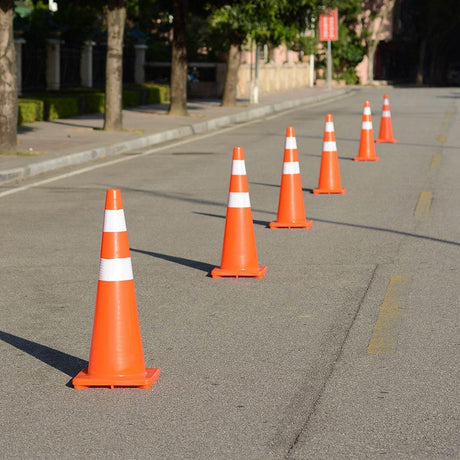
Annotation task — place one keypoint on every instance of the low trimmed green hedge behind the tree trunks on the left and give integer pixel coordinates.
(81, 101)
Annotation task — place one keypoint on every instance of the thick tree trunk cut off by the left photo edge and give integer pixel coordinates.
(8, 86)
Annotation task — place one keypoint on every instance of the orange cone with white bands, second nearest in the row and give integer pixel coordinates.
(239, 253)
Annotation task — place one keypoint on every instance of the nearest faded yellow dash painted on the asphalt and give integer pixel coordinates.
(385, 334)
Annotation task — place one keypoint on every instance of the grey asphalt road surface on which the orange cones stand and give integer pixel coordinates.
(348, 348)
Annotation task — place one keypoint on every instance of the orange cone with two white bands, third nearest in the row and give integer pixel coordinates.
(291, 212)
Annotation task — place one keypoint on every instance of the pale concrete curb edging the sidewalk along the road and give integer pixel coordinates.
(158, 138)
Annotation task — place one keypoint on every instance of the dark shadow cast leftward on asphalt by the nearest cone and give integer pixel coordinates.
(63, 362)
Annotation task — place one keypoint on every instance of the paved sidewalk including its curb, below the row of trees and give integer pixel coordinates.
(46, 146)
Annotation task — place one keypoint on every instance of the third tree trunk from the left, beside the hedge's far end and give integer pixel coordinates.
(178, 105)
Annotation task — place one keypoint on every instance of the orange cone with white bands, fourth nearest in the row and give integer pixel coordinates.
(329, 175)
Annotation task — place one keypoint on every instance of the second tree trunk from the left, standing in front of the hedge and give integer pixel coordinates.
(116, 17)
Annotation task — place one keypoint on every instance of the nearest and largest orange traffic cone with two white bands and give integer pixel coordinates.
(116, 357)
